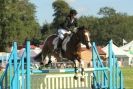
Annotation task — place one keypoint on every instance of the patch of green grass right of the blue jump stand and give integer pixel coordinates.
(128, 77)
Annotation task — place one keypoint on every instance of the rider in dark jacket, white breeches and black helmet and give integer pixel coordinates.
(69, 24)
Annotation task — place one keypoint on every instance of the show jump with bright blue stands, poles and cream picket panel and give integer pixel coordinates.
(17, 76)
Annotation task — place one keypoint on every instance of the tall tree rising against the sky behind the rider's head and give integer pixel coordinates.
(61, 9)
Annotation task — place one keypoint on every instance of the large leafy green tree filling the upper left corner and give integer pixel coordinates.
(17, 22)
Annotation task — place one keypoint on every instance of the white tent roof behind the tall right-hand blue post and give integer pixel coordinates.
(117, 51)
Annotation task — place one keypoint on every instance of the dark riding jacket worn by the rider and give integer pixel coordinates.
(70, 23)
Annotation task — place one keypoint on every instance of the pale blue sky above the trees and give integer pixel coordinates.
(44, 10)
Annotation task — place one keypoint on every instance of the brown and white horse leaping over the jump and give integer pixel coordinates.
(70, 48)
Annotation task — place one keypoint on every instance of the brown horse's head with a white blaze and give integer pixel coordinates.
(83, 36)
